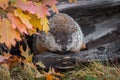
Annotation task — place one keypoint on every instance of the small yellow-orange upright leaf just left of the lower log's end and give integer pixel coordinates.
(26, 54)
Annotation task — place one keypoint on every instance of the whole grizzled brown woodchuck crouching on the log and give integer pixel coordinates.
(65, 35)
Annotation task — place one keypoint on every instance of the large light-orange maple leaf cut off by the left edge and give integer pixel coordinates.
(7, 34)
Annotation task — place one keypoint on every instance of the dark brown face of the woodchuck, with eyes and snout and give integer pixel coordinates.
(63, 40)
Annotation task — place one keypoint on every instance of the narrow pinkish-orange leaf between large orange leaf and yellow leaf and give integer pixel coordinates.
(16, 23)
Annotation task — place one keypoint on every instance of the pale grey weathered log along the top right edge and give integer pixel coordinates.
(86, 4)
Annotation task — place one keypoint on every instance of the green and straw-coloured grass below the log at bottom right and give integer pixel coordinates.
(95, 71)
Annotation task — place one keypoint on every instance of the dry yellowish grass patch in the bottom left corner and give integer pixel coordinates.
(26, 72)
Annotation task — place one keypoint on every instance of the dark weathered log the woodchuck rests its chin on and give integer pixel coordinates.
(106, 52)
